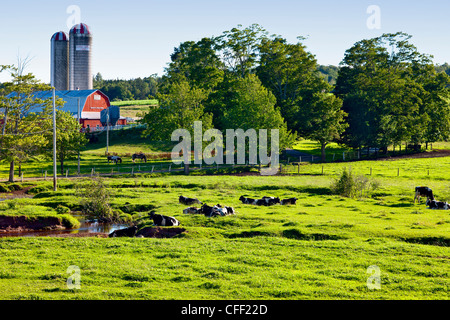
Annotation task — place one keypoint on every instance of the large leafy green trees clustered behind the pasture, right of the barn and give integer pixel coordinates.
(384, 92)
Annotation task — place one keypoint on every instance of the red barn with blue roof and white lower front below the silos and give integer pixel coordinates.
(93, 106)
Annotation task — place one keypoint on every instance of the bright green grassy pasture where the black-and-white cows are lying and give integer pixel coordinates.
(320, 248)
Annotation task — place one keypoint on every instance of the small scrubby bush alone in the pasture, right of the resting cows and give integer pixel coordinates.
(351, 187)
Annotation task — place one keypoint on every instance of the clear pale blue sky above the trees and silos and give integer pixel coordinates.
(135, 38)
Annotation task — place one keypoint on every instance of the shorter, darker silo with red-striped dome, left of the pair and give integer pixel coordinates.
(59, 61)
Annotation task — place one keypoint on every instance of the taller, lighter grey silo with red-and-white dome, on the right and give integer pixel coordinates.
(80, 53)
